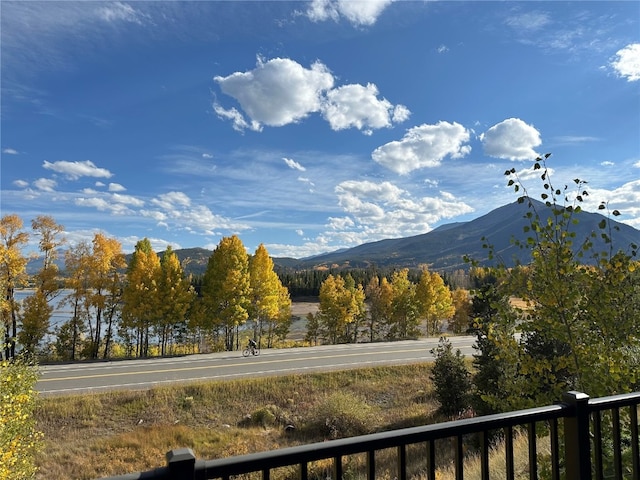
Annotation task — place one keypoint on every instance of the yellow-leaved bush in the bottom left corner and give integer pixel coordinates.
(19, 439)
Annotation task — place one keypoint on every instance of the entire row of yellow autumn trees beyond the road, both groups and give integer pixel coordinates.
(147, 305)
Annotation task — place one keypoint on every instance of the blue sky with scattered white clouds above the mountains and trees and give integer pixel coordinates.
(309, 126)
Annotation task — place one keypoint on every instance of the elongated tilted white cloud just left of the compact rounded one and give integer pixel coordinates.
(424, 146)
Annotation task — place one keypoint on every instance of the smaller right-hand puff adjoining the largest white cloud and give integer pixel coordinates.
(358, 106)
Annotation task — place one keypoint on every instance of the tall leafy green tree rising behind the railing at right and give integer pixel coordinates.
(579, 315)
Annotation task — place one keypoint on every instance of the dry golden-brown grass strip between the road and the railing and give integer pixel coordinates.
(92, 436)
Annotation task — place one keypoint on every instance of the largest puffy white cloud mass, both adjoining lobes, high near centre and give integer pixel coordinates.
(280, 91)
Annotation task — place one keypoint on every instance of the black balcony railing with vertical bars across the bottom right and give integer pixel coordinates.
(597, 439)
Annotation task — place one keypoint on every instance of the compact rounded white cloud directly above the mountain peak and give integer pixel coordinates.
(511, 139)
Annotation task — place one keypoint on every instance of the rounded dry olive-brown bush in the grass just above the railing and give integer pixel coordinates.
(342, 415)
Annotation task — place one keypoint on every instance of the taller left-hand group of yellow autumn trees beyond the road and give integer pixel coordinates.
(145, 306)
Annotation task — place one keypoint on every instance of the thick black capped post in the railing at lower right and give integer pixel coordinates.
(577, 449)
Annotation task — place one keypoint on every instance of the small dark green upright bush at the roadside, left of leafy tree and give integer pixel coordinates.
(451, 379)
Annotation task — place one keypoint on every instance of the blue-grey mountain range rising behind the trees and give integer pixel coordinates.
(444, 248)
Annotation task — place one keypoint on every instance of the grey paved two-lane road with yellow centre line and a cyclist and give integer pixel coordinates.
(141, 374)
